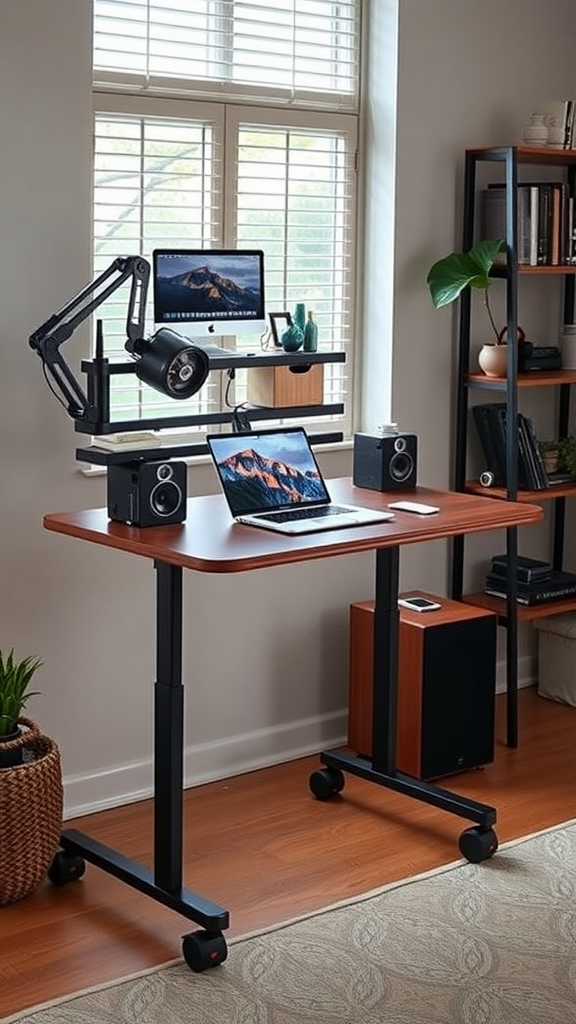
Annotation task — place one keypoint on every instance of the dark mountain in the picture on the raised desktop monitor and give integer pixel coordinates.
(204, 292)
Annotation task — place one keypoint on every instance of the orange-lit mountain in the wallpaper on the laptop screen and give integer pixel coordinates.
(254, 483)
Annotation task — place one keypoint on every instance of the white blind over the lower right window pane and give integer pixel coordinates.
(296, 200)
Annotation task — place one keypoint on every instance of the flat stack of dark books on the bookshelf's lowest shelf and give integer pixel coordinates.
(538, 582)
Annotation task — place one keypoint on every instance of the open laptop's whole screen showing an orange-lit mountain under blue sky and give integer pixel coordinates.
(268, 472)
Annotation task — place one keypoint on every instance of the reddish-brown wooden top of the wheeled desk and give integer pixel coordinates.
(211, 542)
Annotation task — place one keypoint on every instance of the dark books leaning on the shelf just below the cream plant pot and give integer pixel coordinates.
(490, 419)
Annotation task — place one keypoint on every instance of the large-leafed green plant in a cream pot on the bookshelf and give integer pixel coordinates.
(447, 280)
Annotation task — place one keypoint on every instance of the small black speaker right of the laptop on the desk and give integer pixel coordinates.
(385, 462)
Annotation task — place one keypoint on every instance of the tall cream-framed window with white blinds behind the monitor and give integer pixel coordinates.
(230, 124)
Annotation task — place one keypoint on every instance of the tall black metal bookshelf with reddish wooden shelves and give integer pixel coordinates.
(508, 392)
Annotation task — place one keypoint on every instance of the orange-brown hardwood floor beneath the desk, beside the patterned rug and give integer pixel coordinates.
(263, 847)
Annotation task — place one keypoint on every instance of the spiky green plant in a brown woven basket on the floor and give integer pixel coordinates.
(31, 787)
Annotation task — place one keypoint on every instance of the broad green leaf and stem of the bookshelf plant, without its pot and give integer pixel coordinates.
(449, 276)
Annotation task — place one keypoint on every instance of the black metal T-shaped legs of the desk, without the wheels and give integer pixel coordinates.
(164, 884)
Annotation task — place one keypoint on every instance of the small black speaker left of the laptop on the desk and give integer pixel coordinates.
(148, 494)
